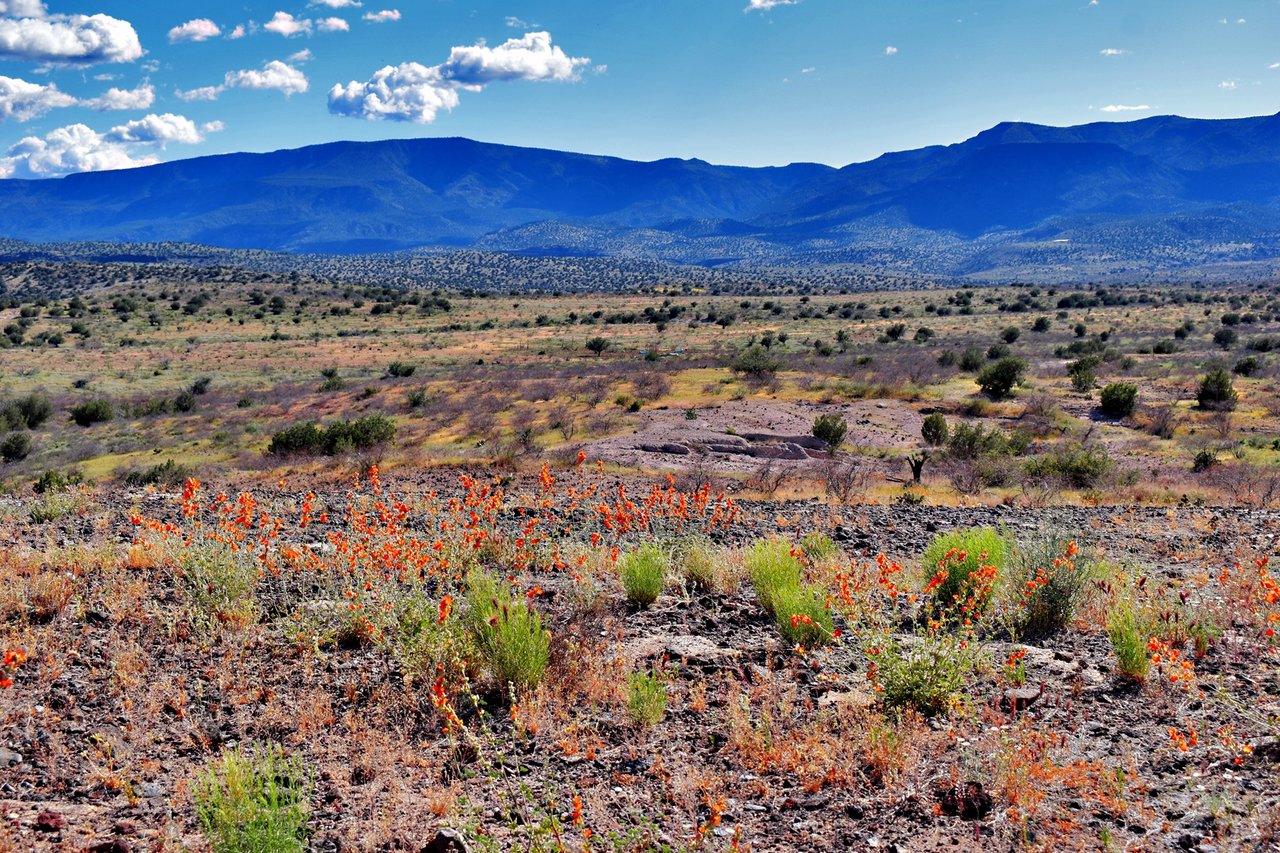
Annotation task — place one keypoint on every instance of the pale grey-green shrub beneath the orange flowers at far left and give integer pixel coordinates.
(220, 585)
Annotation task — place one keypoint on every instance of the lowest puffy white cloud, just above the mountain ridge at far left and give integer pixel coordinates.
(79, 148)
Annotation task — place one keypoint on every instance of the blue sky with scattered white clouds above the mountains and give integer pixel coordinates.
(92, 85)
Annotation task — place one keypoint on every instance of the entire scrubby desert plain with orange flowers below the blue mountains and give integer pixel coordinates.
(294, 564)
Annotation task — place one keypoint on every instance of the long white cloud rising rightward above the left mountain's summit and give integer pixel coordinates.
(415, 93)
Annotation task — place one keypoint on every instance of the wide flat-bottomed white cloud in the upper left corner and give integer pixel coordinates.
(70, 40)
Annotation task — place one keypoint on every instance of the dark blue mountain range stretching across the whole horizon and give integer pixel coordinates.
(1151, 195)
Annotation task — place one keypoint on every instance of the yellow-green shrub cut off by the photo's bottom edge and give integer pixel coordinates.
(254, 804)
